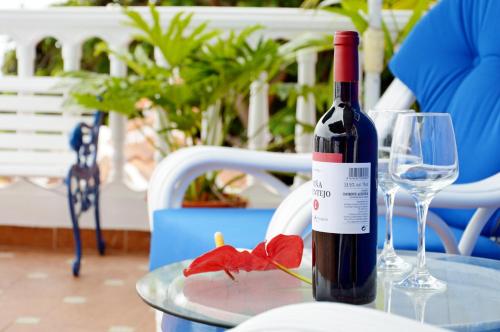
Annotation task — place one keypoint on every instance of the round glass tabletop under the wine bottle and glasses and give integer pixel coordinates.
(471, 301)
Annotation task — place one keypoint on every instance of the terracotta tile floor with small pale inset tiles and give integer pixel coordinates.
(38, 292)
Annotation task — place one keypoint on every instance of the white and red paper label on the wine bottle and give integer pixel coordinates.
(341, 195)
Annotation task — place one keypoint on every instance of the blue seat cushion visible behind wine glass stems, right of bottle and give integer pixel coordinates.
(405, 238)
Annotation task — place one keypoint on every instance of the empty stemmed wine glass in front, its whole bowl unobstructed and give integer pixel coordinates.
(423, 161)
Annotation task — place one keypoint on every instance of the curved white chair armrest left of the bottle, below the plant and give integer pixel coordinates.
(173, 175)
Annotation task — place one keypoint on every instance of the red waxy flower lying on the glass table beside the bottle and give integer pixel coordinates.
(284, 250)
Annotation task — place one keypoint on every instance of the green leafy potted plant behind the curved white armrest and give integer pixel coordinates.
(198, 97)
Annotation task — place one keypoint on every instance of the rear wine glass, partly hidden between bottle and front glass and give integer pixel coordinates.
(385, 120)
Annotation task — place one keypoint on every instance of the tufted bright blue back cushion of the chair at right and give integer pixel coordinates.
(451, 61)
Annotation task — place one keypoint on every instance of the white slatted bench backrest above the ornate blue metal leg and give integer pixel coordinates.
(35, 126)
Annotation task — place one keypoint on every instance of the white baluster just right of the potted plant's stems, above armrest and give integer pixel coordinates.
(258, 114)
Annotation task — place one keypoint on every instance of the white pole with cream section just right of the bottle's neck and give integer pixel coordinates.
(373, 48)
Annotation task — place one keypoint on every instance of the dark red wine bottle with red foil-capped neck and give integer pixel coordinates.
(344, 218)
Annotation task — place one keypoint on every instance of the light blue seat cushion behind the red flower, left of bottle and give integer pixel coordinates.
(187, 233)
